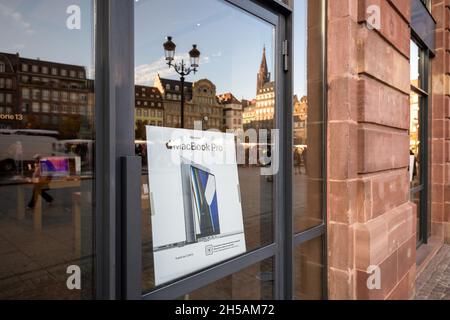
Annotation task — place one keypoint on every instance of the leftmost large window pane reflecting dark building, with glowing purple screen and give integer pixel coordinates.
(46, 150)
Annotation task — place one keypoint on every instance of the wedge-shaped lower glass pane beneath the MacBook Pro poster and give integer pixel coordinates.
(253, 283)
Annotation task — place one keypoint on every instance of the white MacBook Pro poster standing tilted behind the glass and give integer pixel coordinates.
(194, 199)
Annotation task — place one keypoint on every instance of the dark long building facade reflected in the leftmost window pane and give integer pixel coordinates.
(45, 95)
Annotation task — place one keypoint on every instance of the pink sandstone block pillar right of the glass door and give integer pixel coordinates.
(371, 219)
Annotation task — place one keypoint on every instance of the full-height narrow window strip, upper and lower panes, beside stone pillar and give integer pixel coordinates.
(308, 148)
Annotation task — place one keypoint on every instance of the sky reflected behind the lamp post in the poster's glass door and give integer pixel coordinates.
(230, 40)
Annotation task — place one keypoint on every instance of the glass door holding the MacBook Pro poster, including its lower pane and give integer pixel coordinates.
(208, 86)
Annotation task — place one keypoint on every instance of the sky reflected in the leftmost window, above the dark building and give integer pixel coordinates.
(37, 29)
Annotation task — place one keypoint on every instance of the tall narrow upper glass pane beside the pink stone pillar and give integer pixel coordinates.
(308, 184)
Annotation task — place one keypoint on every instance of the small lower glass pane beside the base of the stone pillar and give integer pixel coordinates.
(309, 270)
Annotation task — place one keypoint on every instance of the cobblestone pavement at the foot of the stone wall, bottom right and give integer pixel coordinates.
(434, 282)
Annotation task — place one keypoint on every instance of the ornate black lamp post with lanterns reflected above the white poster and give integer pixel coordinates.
(181, 68)
